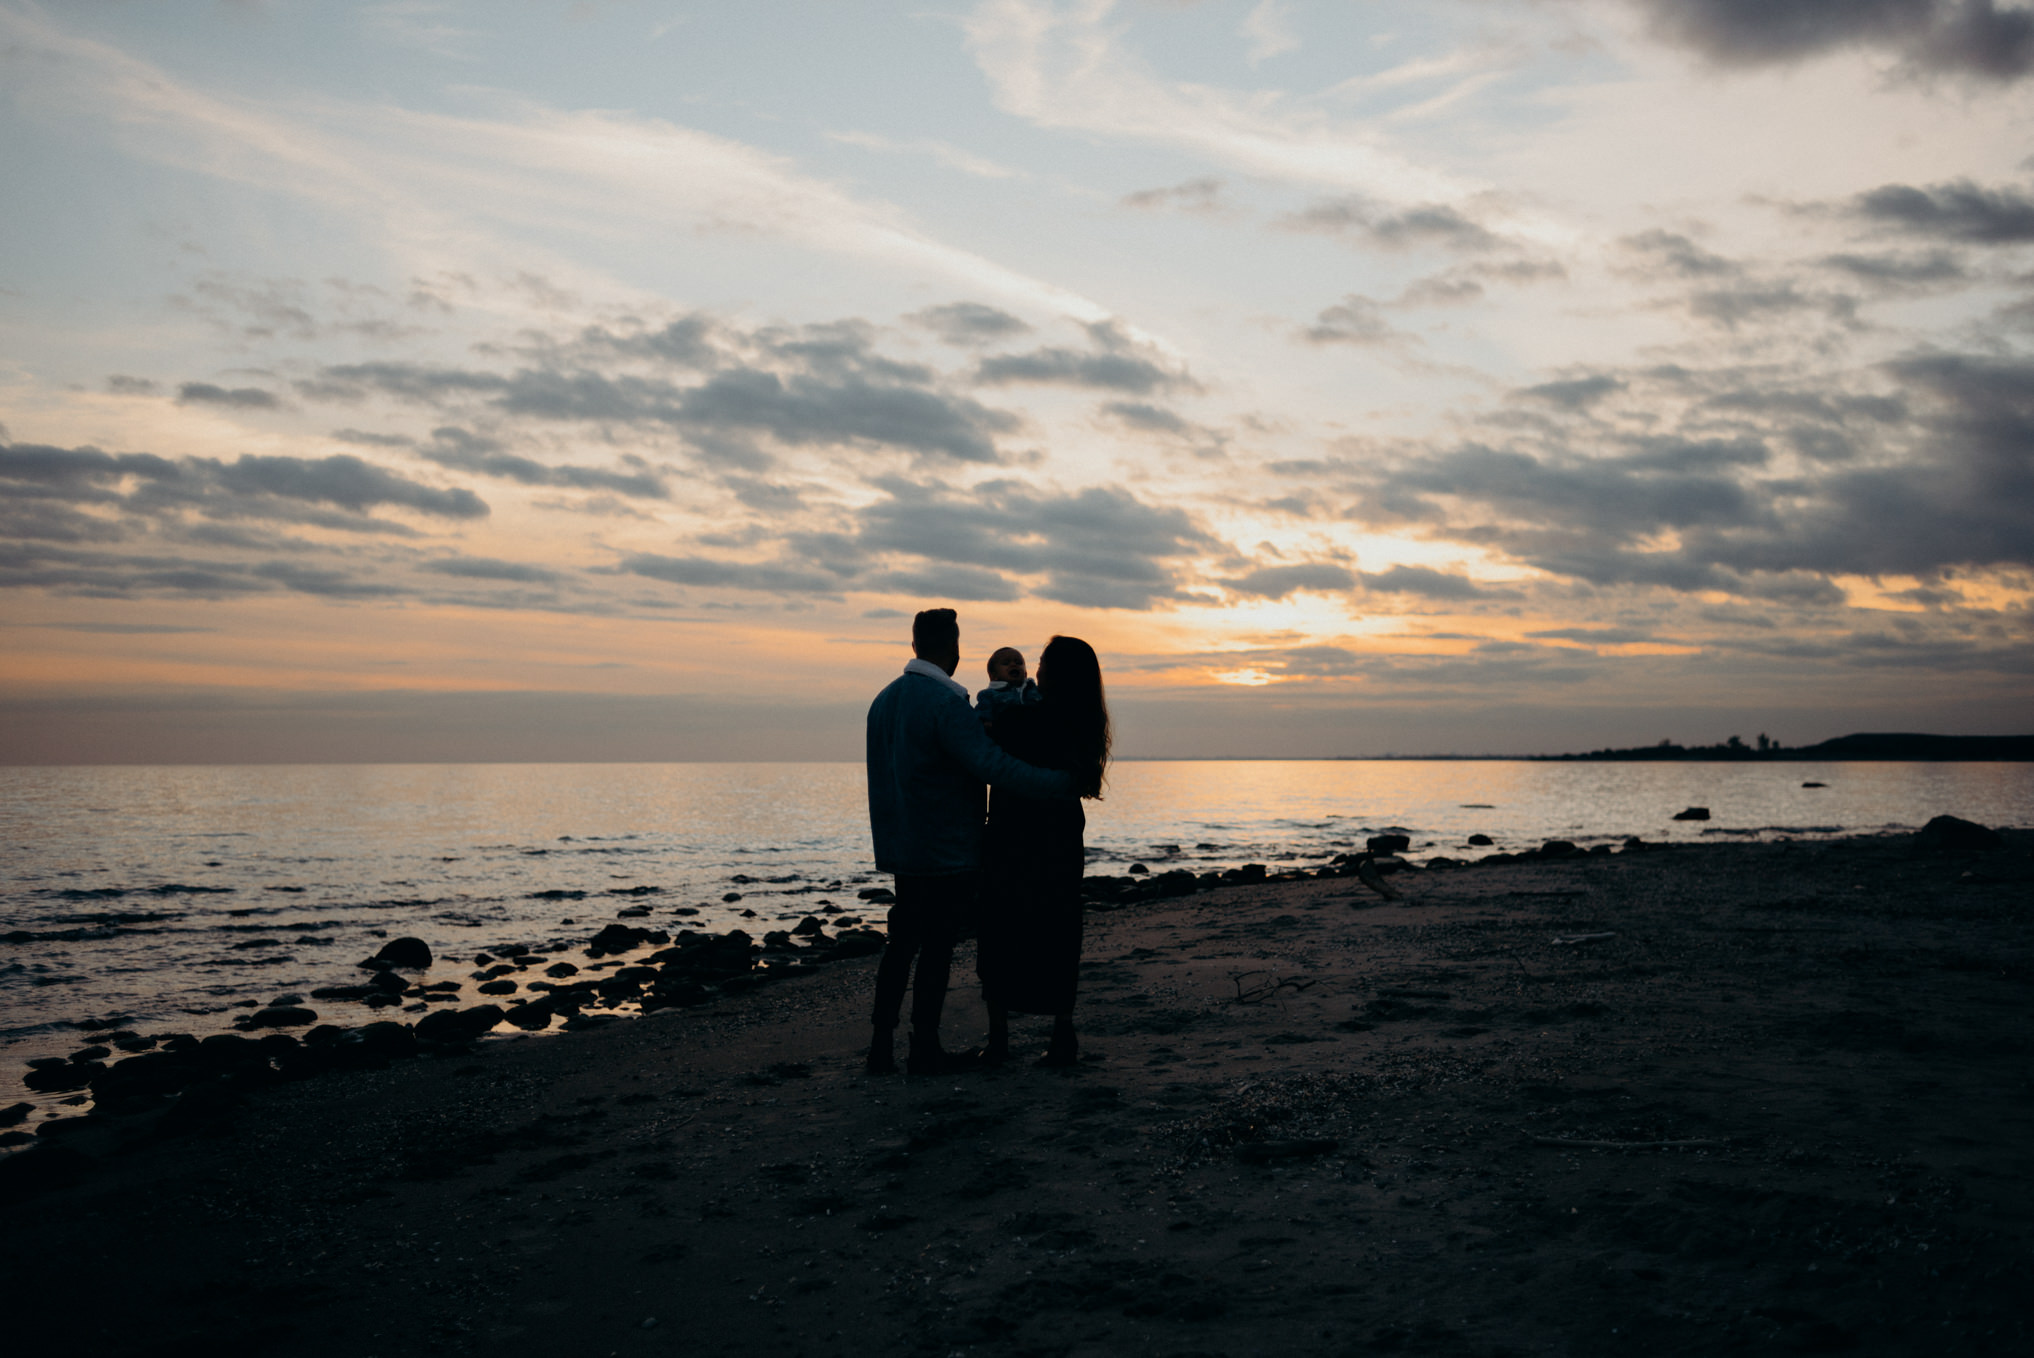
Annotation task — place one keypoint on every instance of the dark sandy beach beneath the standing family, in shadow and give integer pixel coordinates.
(1712, 1099)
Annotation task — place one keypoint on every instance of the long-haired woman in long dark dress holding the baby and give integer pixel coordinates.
(1032, 861)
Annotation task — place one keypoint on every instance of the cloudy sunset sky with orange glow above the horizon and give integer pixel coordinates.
(540, 381)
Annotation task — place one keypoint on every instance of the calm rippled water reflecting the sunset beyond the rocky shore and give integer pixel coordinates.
(176, 893)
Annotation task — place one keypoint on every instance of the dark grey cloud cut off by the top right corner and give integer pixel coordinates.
(1960, 38)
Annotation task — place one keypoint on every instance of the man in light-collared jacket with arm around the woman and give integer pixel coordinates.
(929, 761)
